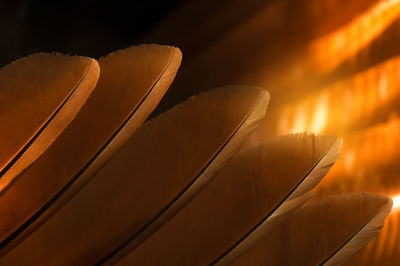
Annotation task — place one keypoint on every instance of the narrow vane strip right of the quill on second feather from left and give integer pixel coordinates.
(137, 117)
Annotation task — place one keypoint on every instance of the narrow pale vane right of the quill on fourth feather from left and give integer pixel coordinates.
(297, 197)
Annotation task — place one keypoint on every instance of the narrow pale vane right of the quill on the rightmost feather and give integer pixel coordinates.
(360, 238)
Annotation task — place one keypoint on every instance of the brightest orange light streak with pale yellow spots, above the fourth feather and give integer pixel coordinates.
(338, 108)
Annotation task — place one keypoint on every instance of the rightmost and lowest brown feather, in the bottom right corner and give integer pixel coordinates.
(327, 232)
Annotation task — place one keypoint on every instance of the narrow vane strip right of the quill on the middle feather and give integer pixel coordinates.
(252, 120)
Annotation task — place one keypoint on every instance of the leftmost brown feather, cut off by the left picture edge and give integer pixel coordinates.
(40, 95)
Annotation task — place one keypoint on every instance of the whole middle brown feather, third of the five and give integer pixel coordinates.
(145, 178)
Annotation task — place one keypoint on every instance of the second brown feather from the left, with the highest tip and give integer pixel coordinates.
(131, 84)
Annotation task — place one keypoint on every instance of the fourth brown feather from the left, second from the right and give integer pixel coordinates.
(243, 202)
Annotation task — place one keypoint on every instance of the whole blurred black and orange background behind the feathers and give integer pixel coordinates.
(331, 67)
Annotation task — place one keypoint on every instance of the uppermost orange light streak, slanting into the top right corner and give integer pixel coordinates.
(343, 43)
